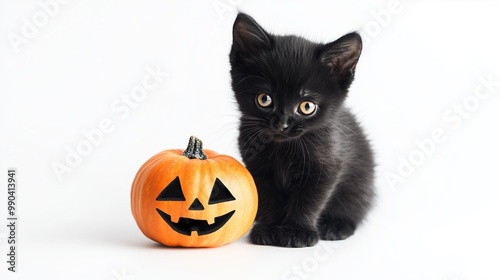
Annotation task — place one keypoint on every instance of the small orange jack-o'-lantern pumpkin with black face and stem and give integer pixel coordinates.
(193, 198)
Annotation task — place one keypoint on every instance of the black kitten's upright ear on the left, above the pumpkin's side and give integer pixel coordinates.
(248, 35)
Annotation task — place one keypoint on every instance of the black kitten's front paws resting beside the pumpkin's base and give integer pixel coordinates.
(283, 236)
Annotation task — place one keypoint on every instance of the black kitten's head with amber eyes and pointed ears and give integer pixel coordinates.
(286, 85)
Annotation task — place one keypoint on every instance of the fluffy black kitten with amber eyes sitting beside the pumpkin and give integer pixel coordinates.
(311, 162)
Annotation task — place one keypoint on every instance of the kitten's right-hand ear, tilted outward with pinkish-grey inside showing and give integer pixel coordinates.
(342, 55)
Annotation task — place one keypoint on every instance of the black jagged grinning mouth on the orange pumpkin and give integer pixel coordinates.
(186, 225)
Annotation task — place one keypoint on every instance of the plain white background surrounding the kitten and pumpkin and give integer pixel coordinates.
(420, 59)
